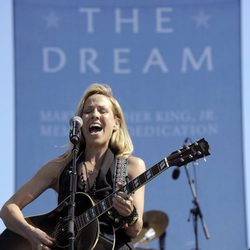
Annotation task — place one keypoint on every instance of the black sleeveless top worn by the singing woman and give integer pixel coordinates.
(102, 187)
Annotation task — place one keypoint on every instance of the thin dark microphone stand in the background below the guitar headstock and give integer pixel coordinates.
(196, 211)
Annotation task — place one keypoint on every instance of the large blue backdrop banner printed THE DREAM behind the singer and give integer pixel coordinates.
(174, 66)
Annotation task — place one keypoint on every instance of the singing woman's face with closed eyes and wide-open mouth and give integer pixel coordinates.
(98, 121)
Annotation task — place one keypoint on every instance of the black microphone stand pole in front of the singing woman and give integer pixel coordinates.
(71, 210)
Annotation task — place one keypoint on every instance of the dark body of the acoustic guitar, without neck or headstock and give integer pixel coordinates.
(96, 235)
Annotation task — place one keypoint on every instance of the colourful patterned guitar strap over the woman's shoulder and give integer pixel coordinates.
(121, 172)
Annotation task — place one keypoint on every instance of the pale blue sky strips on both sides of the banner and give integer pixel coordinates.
(7, 145)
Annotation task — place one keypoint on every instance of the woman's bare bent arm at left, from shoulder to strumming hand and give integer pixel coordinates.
(12, 215)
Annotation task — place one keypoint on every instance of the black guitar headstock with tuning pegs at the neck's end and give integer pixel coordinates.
(189, 153)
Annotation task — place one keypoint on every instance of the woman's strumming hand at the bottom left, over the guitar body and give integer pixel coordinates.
(39, 239)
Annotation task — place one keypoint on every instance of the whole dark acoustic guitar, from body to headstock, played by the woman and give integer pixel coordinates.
(90, 230)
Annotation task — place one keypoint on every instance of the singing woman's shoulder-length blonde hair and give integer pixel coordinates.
(120, 142)
